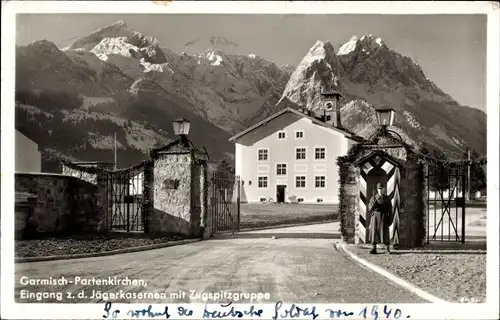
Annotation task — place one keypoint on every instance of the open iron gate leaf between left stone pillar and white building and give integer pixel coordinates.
(225, 202)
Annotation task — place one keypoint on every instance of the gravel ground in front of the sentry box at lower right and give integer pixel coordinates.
(455, 276)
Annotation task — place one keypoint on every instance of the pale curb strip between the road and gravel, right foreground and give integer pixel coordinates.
(397, 280)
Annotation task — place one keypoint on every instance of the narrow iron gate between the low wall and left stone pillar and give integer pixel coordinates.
(125, 194)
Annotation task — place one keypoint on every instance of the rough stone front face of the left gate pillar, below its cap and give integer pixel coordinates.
(171, 212)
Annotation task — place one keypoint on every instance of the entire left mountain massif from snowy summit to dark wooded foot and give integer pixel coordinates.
(120, 72)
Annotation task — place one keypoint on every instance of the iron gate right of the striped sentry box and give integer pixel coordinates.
(446, 185)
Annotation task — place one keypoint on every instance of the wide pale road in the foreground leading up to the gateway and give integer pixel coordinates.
(291, 270)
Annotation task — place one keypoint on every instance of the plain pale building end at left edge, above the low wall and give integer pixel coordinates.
(28, 157)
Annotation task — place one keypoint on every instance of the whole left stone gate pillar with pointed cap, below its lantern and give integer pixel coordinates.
(177, 191)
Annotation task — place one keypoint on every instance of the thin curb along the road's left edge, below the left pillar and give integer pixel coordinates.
(106, 253)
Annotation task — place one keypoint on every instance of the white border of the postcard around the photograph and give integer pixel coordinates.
(11, 310)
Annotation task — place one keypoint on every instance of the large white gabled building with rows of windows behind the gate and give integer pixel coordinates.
(291, 157)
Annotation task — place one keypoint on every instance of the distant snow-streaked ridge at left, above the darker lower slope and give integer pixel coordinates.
(222, 88)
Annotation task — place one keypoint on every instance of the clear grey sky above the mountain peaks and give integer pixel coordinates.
(451, 49)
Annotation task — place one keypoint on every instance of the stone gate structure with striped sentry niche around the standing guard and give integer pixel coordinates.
(397, 166)
